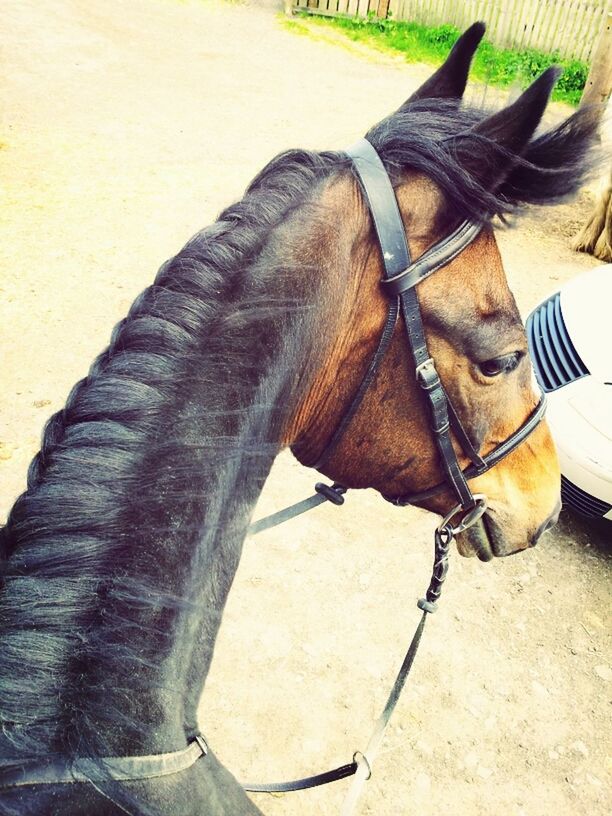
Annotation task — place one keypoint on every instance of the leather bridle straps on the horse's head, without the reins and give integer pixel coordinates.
(401, 275)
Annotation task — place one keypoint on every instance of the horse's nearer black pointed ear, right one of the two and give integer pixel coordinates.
(510, 130)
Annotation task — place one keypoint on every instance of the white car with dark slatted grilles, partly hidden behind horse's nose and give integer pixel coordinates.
(570, 342)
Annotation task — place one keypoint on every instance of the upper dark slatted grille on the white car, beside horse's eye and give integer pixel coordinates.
(555, 360)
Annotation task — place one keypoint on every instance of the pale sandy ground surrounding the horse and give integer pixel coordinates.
(126, 127)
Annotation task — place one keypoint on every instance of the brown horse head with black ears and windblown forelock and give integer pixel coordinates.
(447, 163)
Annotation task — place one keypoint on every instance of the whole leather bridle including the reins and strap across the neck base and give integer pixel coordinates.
(401, 276)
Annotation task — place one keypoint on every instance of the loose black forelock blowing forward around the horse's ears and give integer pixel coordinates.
(435, 136)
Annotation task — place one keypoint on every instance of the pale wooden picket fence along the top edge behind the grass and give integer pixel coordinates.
(569, 27)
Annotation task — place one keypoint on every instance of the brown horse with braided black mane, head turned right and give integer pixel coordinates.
(118, 558)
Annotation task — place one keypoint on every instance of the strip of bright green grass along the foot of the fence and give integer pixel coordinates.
(431, 44)
